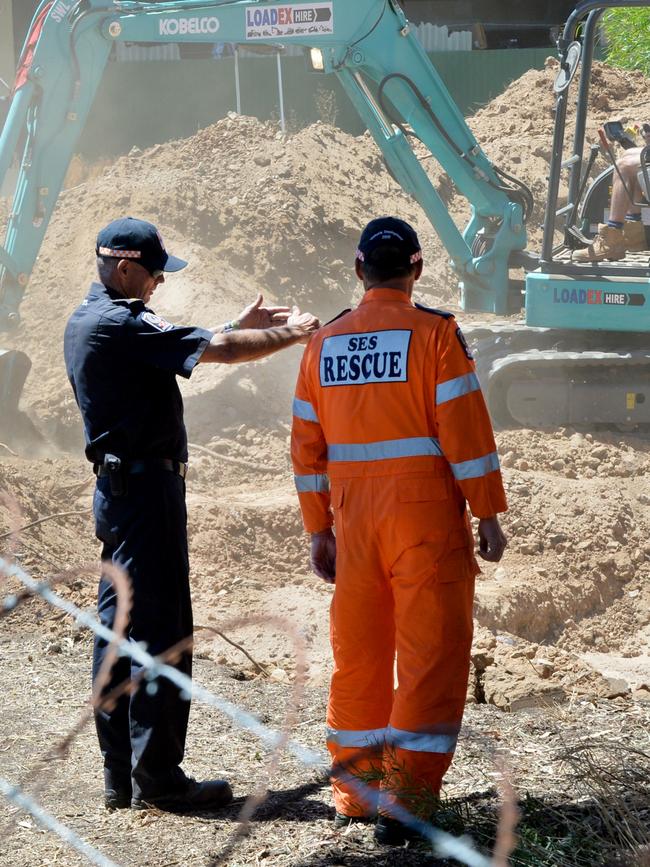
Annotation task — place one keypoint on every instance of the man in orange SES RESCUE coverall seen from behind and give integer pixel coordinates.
(391, 443)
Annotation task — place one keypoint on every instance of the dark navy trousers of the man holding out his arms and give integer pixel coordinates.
(142, 738)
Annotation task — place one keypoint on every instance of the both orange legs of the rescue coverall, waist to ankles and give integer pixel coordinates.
(391, 575)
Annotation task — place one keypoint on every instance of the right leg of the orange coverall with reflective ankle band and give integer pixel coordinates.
(433, 585)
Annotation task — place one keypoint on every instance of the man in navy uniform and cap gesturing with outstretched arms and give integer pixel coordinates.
(122, 361)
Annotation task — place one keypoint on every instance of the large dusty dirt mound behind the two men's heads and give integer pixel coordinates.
(252, 211)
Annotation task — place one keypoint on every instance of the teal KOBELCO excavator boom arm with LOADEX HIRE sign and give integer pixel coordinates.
(367, 44)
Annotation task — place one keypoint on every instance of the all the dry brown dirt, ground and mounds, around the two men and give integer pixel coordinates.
(560, 683)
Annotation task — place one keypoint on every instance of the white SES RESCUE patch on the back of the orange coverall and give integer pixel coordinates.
(361, 359)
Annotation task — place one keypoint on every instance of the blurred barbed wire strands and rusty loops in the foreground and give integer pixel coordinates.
(152, 668)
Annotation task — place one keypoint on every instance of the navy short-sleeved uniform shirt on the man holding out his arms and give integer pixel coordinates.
(122, 361)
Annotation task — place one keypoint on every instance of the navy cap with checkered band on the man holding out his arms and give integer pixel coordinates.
(128, 238)
